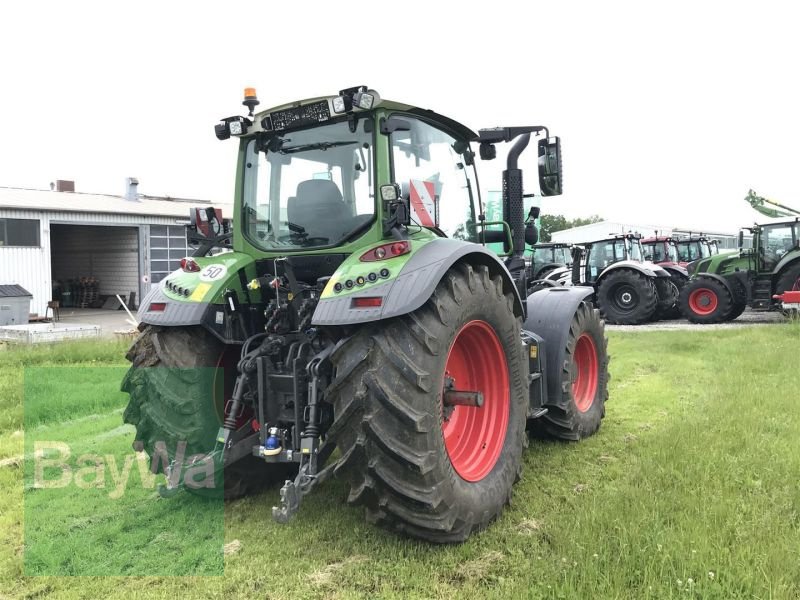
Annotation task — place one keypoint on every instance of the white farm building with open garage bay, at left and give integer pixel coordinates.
(58, 244)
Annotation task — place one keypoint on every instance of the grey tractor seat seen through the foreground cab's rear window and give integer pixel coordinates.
(319, 209)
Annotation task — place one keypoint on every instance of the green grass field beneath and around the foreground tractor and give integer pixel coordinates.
(690, 489)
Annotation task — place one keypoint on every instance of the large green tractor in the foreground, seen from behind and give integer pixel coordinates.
(360, 328)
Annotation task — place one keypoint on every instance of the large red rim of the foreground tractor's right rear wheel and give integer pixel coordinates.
(474, 436)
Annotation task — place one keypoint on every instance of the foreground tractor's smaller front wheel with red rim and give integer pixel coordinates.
(584, 381)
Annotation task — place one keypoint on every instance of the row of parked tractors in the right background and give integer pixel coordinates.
(627, 274)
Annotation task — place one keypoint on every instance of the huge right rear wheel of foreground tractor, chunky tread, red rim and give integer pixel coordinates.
(427, 470)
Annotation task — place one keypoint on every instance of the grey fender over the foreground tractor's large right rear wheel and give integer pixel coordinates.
(413, 285)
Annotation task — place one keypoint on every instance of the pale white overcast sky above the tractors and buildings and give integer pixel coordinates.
(667, 115)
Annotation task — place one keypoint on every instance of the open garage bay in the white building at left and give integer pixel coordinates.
(109, 254)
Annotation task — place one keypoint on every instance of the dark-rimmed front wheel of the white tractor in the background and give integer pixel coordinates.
(627, 297)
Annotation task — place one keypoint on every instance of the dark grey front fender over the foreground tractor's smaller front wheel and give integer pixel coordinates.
(550, 313)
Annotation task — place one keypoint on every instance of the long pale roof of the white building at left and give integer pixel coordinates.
(46, 200)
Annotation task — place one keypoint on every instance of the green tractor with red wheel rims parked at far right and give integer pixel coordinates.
(723, 285)
